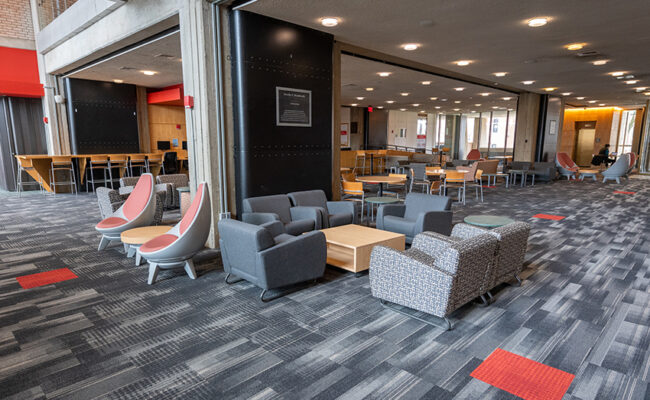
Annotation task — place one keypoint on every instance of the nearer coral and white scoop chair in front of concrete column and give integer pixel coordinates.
(177, 247)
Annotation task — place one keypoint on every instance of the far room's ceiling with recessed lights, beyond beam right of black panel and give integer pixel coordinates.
(357, 74)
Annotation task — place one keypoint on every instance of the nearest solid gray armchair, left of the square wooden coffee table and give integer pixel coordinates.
(252, 253)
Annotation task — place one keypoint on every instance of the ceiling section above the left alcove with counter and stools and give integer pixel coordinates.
(162, 56)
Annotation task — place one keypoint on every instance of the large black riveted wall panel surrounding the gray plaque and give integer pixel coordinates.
(271, 159)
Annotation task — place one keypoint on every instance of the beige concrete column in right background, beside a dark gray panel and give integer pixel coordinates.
(526, 126)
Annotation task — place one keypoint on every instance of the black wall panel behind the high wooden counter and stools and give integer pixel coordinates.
(102, 117)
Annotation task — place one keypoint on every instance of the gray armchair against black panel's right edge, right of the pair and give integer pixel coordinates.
(333, 213)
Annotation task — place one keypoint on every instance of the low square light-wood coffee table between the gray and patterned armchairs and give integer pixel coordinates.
(349, 246)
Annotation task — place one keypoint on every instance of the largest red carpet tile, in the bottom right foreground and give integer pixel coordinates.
(523, 377)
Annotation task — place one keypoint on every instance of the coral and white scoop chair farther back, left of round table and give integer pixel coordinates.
(138, 210)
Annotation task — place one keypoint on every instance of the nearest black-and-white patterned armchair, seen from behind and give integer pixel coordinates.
(437, 275)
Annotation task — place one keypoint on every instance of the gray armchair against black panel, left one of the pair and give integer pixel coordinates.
(264, 209)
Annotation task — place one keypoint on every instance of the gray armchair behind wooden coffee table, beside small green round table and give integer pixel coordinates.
(420, 212)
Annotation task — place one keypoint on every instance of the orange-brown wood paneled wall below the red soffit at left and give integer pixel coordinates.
(167, 123)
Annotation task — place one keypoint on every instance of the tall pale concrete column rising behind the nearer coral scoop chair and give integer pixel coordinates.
(203, 119)
